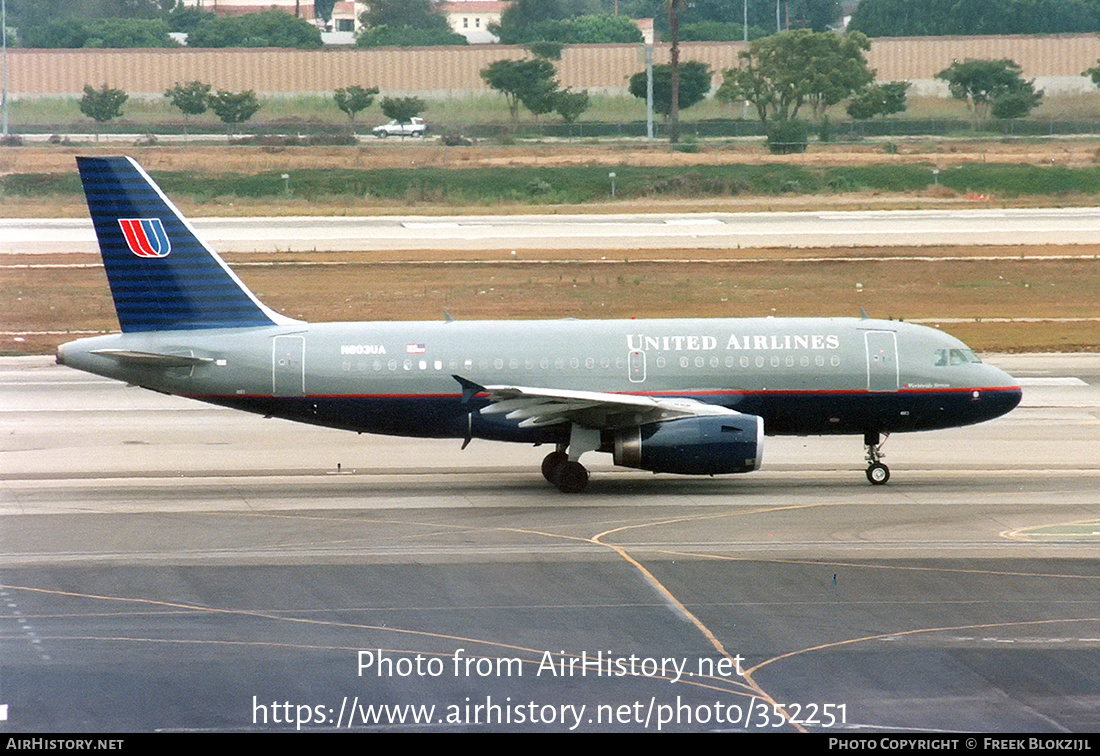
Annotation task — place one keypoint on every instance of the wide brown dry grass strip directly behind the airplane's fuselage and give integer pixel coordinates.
(78, 299)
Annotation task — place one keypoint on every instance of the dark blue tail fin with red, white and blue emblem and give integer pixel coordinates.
(162, 277)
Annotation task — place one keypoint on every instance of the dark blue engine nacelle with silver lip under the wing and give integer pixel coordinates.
(694, 446)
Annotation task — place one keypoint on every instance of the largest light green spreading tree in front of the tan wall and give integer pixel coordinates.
(783, 73)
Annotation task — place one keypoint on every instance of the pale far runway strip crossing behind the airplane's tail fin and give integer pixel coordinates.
(645, 232)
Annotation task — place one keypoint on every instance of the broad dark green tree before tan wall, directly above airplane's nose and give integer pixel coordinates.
(981, 84)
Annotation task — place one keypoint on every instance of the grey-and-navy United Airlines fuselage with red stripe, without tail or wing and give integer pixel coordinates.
(802, 376)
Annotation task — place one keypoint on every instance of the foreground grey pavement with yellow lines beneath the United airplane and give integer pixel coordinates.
(170, 566)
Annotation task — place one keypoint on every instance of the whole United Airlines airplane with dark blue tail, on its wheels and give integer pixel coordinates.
(690, 397)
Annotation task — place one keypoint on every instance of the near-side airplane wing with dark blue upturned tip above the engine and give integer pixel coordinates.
(534, 407)
